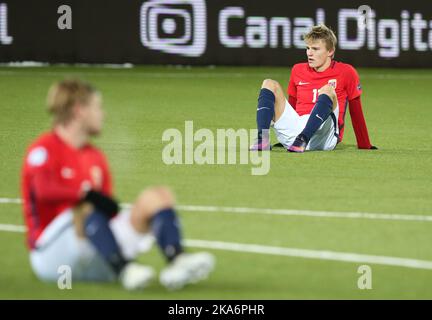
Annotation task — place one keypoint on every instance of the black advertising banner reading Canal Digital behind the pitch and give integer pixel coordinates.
(213, 32)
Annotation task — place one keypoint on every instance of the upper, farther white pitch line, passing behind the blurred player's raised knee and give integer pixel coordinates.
(284, 212)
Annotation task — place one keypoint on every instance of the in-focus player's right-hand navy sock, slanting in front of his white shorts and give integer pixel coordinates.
(321, 111)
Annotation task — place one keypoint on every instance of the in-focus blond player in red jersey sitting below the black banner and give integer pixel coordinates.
(318, 93)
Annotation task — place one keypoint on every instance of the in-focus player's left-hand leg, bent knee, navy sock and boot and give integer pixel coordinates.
(271, 104)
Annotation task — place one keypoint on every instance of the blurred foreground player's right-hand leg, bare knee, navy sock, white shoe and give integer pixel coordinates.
(154, 211)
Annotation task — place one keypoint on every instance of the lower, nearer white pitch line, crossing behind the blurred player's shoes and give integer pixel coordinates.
(289, 252)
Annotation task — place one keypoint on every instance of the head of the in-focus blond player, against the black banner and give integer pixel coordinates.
(320, 47)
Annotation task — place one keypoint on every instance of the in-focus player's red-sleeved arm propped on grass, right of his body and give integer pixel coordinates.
(359, 124)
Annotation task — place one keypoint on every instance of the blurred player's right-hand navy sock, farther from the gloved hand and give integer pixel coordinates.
(166, 229)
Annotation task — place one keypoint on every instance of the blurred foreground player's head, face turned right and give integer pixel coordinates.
(74, 101)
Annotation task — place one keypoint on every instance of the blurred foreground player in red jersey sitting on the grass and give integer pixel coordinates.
(72, 218)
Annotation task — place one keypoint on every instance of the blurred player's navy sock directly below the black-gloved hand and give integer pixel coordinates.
(99, 233)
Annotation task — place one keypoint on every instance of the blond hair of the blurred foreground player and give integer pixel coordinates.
(64, 95)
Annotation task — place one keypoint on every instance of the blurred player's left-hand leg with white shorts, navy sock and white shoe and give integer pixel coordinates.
(65, 243)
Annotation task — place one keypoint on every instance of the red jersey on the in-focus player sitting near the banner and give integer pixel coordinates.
(305, 83)
